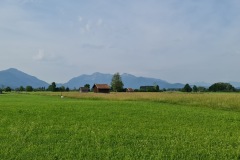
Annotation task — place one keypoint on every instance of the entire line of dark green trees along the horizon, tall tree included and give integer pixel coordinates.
(117, 85)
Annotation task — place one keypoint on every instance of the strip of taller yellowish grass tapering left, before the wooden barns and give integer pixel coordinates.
(227, 101)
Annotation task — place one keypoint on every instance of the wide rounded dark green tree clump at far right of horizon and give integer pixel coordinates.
(221, 87)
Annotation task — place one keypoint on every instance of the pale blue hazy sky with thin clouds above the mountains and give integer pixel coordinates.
(174, 40)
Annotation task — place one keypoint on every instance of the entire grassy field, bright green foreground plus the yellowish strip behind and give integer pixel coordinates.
(120, 126)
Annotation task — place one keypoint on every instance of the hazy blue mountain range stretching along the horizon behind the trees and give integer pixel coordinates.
(15, 78)
